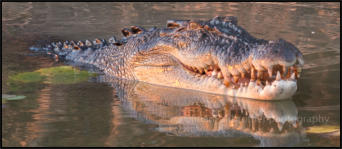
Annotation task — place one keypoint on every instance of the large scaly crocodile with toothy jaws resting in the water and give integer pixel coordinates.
(216, 56)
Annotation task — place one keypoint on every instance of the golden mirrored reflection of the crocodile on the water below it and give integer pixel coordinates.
(182, 112)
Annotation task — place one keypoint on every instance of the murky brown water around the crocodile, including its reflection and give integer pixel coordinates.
(96, 113)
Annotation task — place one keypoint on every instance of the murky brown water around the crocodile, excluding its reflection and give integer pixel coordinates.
(90, 114)
